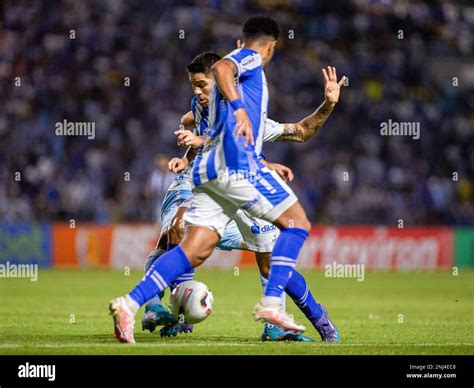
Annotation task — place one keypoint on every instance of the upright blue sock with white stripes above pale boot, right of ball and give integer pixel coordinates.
(285, 252)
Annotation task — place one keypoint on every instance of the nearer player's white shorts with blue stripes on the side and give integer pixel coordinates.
(216, 202)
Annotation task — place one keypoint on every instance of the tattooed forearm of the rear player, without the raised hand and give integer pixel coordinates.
(306, 128)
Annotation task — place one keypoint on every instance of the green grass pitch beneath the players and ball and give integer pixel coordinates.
(387, 313)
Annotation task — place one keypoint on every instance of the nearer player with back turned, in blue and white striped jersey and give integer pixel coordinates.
(229, 175)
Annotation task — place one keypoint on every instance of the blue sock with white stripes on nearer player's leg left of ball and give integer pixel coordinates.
(161, 274)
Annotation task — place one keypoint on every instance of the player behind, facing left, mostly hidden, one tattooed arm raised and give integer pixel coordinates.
(248, 233)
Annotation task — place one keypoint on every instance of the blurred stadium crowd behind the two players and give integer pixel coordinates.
(407, 61)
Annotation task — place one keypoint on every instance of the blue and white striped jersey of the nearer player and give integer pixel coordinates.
(222, 152)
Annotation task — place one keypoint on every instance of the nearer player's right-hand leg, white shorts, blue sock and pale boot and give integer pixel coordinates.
(265, 195)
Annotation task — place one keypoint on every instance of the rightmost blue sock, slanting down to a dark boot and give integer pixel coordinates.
(301, 295)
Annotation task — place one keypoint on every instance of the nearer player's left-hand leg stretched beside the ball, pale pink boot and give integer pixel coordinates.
(197, 245)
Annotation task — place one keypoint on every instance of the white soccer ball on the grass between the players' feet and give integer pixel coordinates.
(193, 300)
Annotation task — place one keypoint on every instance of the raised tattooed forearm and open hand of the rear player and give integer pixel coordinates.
(305, 129)
